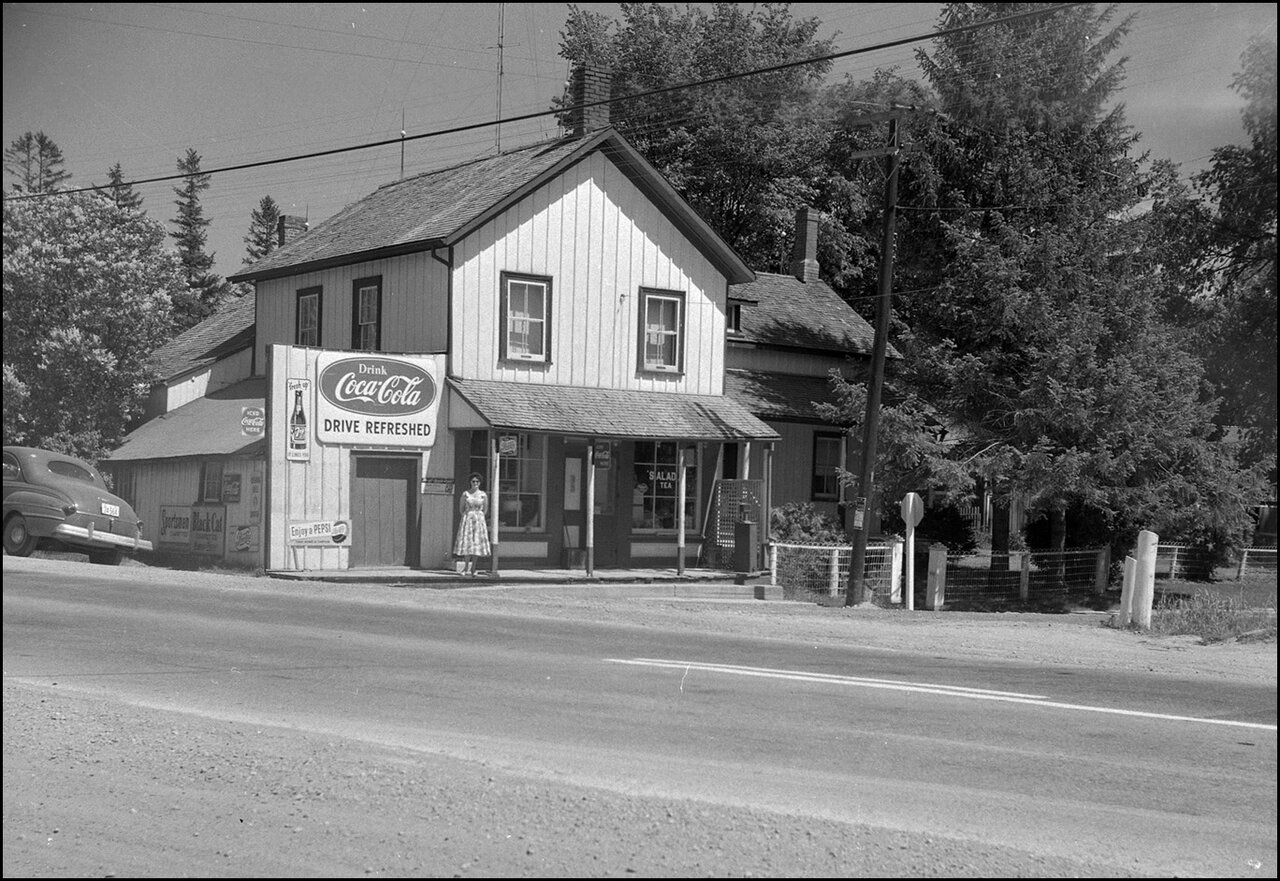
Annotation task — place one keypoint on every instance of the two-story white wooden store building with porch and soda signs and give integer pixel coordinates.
(554, 318)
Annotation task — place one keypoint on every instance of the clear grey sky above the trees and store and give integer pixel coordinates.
(245, 83)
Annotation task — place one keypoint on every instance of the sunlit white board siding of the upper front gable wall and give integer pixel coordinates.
(600, 240)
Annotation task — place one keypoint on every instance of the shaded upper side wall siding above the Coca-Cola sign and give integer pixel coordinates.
(415, 305)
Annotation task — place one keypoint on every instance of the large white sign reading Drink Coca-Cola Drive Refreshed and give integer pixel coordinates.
(378, 400)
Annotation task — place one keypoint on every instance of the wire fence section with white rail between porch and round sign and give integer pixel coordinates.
(808, 572)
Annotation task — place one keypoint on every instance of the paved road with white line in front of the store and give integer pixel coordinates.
(1142, 774)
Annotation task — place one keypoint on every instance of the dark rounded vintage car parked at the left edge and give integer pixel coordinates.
(61, 503)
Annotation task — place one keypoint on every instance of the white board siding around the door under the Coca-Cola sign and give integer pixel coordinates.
(321, 490)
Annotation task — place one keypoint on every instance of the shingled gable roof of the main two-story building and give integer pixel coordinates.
(440, 208)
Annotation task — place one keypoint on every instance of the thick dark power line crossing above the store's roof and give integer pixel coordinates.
(665, 90)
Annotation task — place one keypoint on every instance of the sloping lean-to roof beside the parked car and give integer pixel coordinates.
(207, 427)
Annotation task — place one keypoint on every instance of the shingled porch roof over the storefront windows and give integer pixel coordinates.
(605, 413)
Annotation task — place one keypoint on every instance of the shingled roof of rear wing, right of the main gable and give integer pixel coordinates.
(787, 312)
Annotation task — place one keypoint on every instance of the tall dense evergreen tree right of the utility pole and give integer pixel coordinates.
(1045, 336)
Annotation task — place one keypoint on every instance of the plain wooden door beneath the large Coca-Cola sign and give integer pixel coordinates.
(382, 512)
